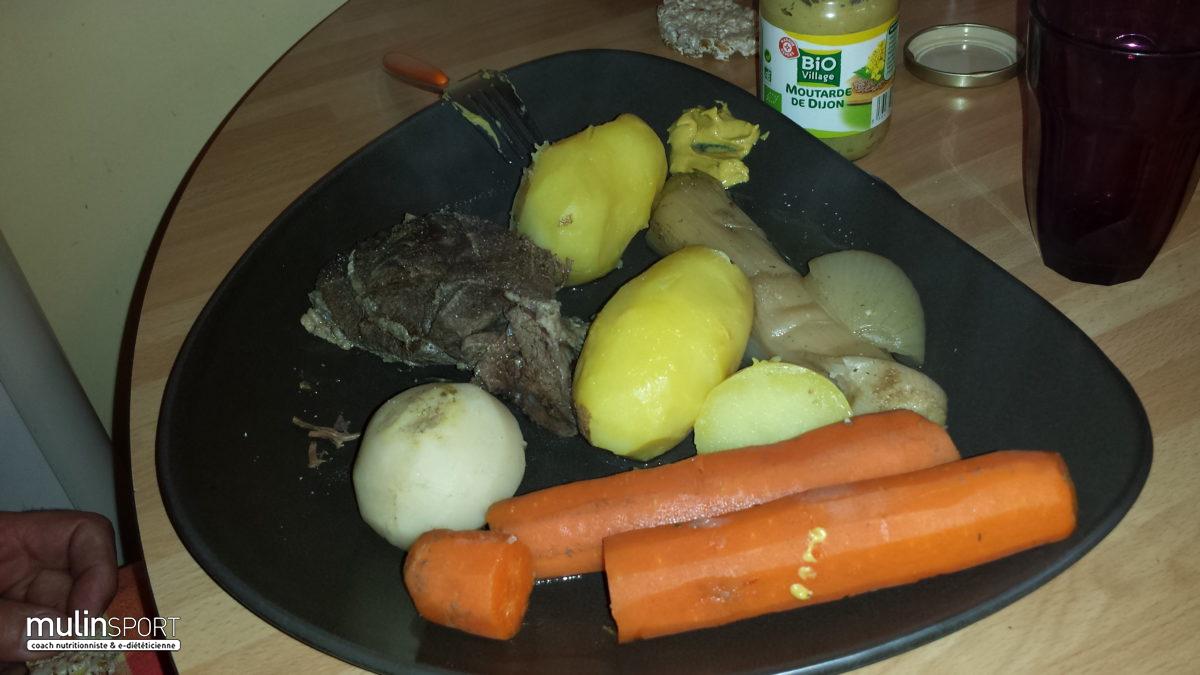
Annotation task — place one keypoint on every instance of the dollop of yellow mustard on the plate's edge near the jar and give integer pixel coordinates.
(715, 142)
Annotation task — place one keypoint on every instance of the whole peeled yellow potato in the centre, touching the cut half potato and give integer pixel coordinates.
(656, 350)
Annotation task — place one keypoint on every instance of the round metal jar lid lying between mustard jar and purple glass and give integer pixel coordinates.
(963, 55)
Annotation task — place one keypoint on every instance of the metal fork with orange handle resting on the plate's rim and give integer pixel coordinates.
(487, 99)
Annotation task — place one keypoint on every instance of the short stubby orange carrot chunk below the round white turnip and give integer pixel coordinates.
(475, 581)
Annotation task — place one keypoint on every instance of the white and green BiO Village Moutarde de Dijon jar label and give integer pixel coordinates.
(831, 85)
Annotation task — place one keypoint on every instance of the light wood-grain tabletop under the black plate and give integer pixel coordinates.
(1130, 606)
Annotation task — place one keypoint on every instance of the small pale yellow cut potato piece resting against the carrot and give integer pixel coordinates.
(767, 403)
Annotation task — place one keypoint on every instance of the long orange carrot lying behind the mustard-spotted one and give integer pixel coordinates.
(566, 525)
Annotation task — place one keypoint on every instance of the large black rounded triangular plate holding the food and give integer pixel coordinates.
(289, 543)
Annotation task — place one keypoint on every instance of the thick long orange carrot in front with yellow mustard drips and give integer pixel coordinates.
(836, 542)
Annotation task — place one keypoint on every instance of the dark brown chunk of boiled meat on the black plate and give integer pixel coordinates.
(448, 289)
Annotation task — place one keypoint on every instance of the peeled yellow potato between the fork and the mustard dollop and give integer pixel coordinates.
(587, 195)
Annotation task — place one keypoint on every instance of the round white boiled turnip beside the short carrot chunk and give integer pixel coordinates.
(434, 457)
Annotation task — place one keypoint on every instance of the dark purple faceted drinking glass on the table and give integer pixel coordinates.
(1112, 134)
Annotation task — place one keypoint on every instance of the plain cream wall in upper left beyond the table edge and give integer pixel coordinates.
(104, 106)
